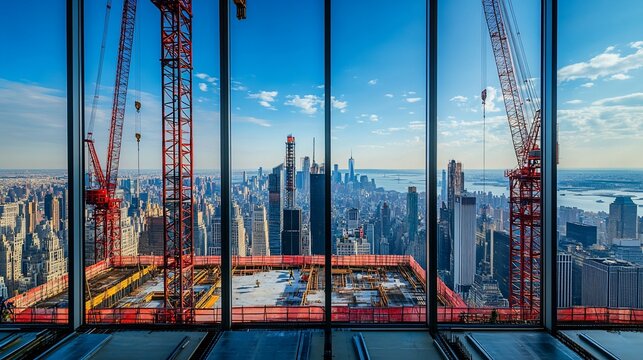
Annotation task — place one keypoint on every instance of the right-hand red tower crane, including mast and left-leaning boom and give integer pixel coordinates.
(525, 179)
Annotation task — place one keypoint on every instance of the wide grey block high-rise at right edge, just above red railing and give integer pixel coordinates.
(612, 283)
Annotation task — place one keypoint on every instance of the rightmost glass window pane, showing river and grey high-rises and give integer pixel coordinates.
(600, 184)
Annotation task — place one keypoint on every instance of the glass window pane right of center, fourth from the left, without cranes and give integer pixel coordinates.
(379, 228)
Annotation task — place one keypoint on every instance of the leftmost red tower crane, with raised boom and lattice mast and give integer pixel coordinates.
(102, 197)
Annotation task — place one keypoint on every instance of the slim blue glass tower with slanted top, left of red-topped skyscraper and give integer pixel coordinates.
(275, 209)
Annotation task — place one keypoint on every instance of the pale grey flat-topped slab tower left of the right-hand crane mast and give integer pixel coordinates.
(464, 252)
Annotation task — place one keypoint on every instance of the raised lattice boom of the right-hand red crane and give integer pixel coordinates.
(507, 76)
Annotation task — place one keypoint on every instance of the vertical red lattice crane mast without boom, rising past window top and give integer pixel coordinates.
(176, 72)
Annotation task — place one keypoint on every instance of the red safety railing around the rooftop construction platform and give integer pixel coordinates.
(452, 309)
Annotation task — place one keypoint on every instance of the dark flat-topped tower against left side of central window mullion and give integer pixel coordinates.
(317, 214)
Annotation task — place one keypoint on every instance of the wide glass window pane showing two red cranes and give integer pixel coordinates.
(151, 222)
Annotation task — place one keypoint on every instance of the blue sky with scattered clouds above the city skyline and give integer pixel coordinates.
(378, 73)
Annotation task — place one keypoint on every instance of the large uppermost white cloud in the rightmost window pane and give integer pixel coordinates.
(605, 65)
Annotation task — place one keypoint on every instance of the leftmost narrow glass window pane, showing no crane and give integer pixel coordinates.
(33, 164)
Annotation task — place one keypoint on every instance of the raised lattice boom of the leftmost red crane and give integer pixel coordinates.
(125, 46)
